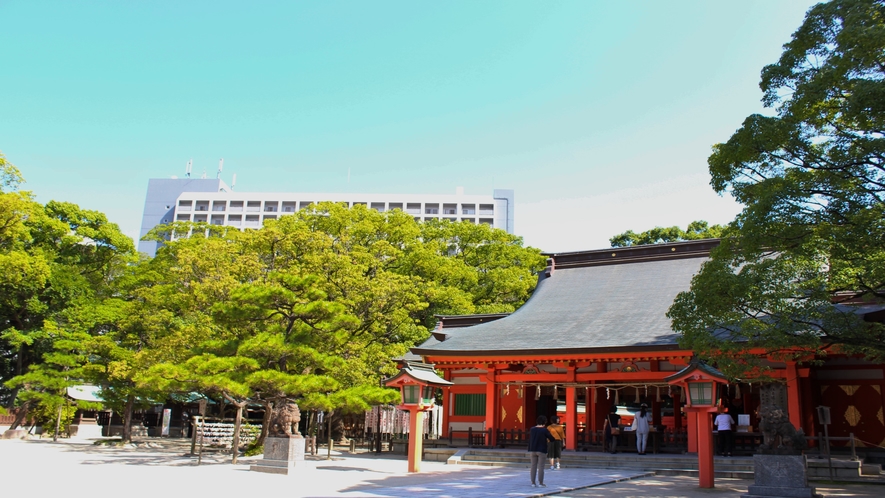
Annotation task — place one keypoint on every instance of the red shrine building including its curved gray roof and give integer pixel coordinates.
(594, 338)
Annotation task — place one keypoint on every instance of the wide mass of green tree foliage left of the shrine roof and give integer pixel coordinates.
(313, 306)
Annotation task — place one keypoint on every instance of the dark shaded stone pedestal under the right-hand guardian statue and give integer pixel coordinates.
(781, 476)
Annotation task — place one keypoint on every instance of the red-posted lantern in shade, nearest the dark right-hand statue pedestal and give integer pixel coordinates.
(701, 383)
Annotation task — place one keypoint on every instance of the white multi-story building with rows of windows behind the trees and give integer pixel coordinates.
(212, 201)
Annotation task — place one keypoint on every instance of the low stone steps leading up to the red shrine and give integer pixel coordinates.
(661, 464)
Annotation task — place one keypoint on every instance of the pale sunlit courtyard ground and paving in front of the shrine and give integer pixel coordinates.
(76, 469)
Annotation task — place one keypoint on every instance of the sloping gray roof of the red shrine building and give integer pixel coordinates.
(575, 309)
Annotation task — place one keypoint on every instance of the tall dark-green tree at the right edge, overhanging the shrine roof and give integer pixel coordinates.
(812, 180)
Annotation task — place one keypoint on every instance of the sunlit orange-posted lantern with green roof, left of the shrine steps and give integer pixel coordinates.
(417, 383)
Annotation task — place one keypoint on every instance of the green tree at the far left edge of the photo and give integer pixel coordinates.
(52, 257)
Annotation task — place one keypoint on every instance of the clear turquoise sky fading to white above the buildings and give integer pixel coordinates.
(599, 114)
